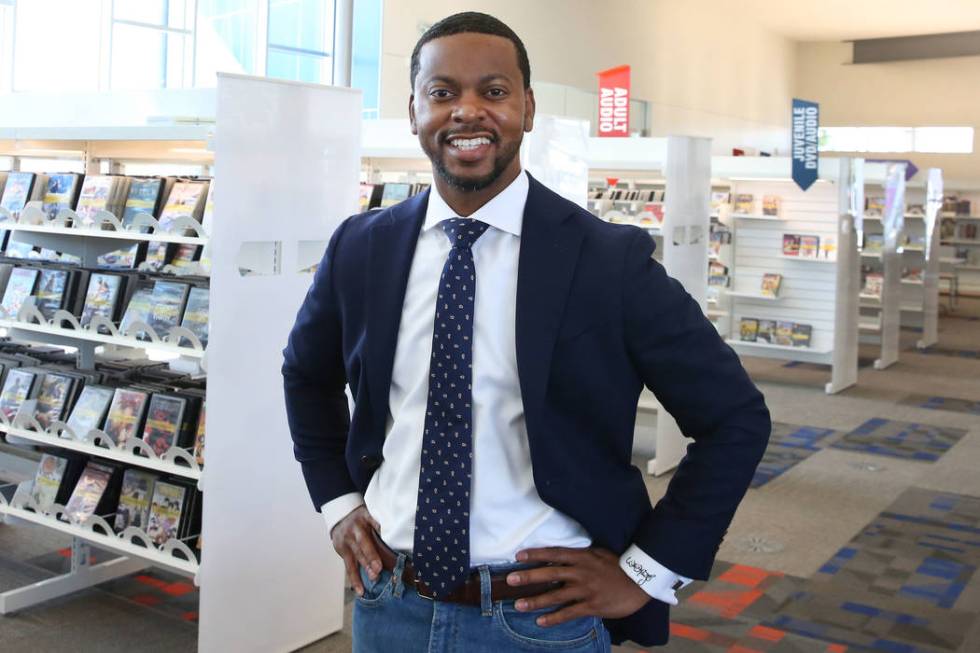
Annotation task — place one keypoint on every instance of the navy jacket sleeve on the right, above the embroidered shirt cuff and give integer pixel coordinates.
(701, 382)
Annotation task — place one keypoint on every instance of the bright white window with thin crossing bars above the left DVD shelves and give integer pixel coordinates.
(152, 44)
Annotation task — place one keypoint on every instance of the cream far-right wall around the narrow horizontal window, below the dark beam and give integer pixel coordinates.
(932, 92)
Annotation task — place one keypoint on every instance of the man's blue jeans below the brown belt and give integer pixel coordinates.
(392, 618)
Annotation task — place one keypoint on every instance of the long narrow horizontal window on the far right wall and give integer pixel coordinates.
(934, 140)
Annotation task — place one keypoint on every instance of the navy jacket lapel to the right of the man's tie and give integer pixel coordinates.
(550, 244)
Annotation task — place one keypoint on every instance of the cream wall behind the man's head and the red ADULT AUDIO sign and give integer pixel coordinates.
(707, 71)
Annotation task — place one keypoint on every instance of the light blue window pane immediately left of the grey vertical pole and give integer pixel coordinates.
(300, 40)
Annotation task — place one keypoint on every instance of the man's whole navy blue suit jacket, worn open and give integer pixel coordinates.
(597, 319)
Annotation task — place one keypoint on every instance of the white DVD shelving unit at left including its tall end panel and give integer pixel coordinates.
(261, 134)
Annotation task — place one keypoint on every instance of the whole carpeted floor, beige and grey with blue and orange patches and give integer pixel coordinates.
(861, 531)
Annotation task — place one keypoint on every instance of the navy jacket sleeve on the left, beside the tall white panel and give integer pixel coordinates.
(314, 383)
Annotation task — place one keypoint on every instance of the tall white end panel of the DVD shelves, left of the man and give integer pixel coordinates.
(269, 578)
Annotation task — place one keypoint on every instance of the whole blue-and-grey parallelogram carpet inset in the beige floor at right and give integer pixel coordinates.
(900, 439)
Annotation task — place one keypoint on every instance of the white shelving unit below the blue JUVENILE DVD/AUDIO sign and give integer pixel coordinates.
(819, 291)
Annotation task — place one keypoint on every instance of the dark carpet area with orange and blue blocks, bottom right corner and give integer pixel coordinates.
(897, 587)
